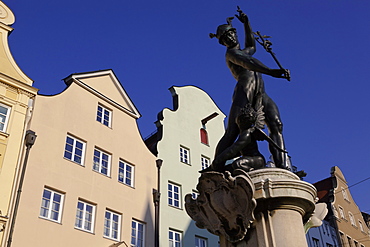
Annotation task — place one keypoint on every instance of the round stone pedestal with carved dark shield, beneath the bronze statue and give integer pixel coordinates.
(225, 207)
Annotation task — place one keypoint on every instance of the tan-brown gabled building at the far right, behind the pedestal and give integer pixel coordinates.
(344, 215)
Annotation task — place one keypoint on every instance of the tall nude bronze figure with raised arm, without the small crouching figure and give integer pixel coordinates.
(250, 89)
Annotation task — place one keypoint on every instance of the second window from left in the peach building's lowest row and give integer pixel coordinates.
(85, 216)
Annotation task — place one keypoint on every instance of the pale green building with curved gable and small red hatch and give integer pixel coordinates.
(185, 140)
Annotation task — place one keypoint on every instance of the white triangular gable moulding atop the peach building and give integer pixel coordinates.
(76, 77)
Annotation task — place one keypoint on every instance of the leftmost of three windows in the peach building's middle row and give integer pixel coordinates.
(74, 150)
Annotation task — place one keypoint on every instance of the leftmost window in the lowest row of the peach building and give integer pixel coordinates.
(51, 205)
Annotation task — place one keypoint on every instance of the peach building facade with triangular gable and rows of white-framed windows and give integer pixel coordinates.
(90, 176)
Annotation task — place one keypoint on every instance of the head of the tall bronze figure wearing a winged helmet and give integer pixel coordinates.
(226, 34)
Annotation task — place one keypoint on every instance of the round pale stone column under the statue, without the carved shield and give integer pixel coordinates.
(284, 203)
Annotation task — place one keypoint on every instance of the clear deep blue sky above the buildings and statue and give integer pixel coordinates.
(152, 45)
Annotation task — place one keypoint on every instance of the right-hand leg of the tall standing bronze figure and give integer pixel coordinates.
(275, 126)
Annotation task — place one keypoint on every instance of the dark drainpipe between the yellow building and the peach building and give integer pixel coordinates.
(29, 141)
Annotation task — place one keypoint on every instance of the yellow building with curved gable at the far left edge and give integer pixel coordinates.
(16, 92)
